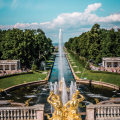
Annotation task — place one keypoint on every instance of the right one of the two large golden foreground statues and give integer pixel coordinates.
(71, 113)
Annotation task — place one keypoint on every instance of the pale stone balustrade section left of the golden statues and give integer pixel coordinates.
(22, 113)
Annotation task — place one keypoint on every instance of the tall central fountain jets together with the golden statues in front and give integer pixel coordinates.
(61, 89)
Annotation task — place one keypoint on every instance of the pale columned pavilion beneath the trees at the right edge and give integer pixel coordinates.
(111, 62)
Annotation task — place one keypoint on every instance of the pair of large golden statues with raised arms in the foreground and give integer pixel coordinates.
(69, 113)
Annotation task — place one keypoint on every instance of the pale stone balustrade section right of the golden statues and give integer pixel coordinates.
(103, 112)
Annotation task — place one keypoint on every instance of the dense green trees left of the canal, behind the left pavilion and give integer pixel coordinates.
(24, 45)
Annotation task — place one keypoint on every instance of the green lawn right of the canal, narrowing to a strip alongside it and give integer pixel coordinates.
(109, 78)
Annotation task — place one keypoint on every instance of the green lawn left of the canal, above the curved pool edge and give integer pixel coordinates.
(19, 79)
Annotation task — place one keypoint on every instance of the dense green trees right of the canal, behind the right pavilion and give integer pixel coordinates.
(96, 43)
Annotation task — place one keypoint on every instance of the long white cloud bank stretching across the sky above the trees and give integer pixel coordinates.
(71, 21)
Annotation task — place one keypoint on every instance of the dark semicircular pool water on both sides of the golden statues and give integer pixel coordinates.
(39, 93)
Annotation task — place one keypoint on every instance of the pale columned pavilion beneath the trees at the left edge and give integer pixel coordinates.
(9, 64)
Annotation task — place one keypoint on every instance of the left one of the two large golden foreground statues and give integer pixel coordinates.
(58, 106)
